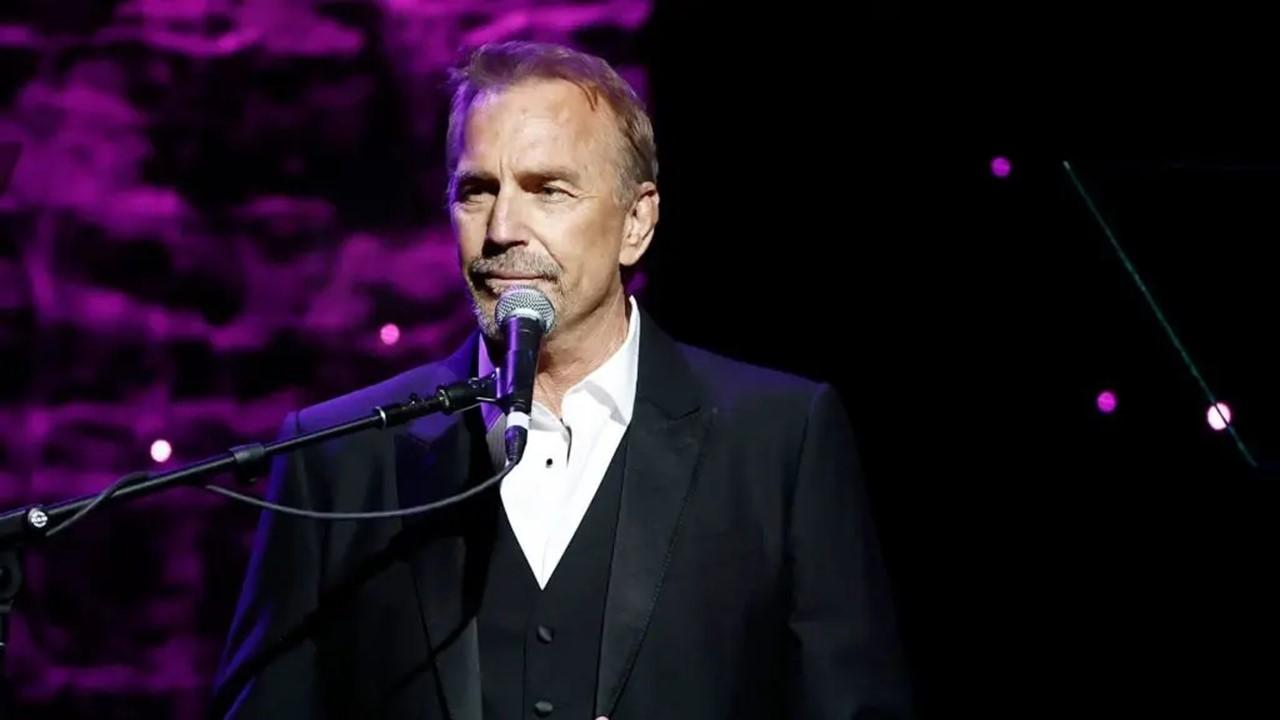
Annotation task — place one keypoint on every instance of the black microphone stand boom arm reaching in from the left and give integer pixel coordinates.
(34, 522)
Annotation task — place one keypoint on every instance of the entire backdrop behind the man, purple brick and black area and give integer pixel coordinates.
(203, 236)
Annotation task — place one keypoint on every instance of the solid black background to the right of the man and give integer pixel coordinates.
(1049, 560)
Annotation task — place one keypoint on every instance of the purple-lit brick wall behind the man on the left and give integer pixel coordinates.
(217, 208)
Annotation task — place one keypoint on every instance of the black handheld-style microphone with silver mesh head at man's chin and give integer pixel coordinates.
(525, 316)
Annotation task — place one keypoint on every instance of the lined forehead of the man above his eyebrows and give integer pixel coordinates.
(537, 122)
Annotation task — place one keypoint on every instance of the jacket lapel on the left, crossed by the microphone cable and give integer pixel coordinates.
(437, 457)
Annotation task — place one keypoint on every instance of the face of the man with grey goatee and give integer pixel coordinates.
(536, 200)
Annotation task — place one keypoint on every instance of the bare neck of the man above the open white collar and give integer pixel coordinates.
(575, 352)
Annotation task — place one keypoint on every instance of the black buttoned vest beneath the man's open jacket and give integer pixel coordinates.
(540, 648)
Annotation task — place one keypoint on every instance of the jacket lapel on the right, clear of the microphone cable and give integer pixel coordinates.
(665, 441)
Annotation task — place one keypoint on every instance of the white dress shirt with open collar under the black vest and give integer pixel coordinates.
(566, 458)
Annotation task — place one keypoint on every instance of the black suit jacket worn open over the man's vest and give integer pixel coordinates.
(746, 578)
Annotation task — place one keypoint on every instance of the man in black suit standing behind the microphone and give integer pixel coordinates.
(685, 539)
